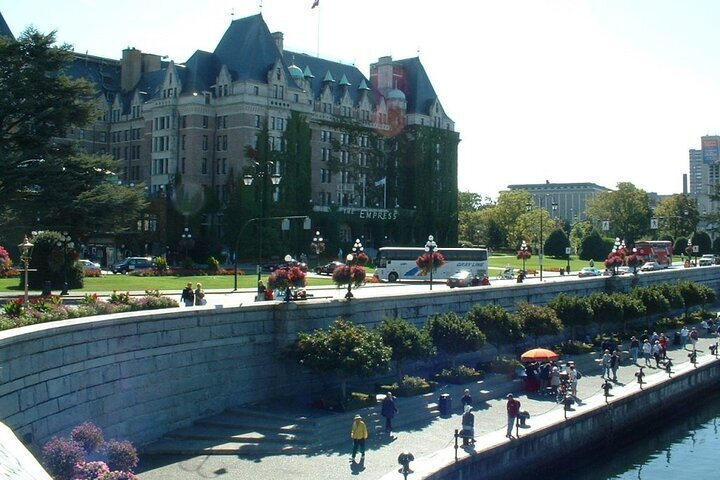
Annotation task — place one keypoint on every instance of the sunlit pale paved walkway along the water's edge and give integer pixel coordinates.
(432, 439)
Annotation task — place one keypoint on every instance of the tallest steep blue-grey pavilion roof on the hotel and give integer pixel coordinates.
(248, 49)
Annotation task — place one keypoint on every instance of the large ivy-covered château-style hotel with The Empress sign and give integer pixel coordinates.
(372, 158)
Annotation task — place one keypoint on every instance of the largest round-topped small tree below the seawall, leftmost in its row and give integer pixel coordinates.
(344, 349)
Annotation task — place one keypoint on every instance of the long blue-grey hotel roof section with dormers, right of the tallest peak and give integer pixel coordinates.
(320, 67)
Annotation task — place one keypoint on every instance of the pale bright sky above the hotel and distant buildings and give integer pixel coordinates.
(604, 91)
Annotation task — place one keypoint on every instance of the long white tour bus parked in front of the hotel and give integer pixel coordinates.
(398, 263)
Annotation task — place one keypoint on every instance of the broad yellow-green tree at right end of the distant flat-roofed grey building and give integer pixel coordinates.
(627, 209)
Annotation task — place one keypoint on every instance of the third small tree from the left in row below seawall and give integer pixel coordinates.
(453, 335)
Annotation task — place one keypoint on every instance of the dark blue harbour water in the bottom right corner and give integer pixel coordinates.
(681, 444)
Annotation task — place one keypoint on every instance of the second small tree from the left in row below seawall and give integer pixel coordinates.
(407, 341)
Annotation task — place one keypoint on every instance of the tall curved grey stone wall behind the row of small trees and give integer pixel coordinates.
(140, 375)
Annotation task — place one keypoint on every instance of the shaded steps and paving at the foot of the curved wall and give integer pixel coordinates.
(263, 430)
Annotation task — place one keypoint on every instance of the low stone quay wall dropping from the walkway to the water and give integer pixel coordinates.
(553, 438)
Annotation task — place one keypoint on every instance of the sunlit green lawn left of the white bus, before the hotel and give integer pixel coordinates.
(122, 283)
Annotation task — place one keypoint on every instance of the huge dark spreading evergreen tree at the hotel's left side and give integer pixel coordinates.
(43, 179)
